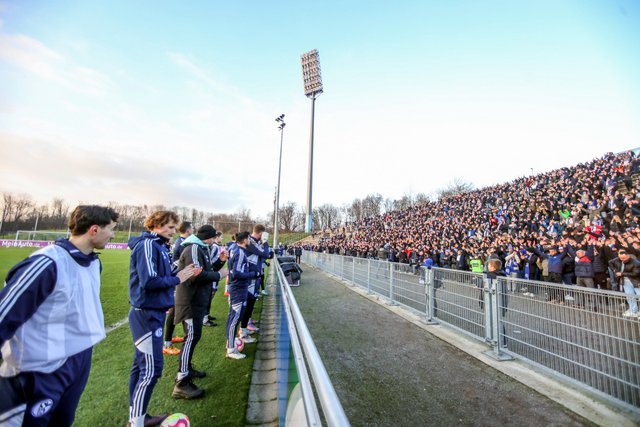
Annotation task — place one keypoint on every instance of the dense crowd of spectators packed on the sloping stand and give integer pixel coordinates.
(538, 226)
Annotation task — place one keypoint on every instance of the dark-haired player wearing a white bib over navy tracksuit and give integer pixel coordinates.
(50, 319)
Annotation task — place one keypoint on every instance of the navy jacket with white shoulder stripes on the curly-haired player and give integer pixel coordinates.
(151, 280)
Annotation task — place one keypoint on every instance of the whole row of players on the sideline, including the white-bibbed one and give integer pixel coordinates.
(51, 315)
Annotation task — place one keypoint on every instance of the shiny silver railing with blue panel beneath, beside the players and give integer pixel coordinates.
(296, 357)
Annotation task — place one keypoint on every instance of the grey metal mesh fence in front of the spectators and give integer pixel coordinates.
(577, 332)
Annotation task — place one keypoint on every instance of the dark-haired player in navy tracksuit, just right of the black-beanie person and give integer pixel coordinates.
(239, 279)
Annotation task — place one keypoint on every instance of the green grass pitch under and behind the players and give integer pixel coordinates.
(106, 399)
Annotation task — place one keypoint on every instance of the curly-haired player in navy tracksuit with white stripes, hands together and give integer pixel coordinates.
(151, 293)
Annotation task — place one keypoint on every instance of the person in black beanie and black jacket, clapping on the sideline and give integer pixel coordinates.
(192, 297)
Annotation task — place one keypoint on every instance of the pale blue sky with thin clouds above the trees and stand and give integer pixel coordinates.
(174, 102)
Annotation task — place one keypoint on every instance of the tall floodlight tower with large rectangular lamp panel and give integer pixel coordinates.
(312, 89)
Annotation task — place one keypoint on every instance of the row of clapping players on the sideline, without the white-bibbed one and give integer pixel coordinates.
(198, 269)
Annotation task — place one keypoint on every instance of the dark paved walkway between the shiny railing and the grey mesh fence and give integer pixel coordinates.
(389, 370)
